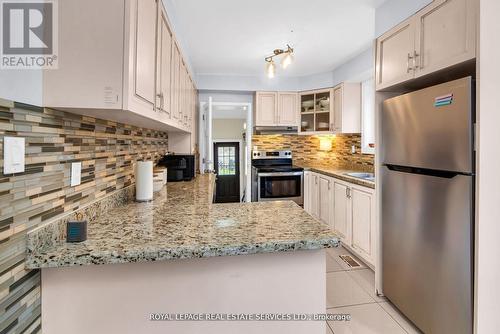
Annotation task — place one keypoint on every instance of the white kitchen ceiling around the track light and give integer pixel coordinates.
(232, 37)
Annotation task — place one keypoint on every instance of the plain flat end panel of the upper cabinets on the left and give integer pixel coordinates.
(90, 73)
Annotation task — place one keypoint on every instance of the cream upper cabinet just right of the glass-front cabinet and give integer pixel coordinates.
(347, 108)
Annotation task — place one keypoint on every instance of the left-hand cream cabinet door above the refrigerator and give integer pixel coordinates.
(395, 52)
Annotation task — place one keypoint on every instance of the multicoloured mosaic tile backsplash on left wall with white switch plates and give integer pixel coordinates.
(55, 139)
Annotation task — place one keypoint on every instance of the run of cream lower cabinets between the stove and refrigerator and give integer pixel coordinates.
(348, 208)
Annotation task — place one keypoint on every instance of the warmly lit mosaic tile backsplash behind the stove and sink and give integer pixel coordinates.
(306, 150)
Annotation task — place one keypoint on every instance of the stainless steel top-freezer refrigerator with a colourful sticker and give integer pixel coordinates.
(428, 205)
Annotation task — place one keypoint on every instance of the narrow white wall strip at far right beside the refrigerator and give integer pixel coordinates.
(488, 196)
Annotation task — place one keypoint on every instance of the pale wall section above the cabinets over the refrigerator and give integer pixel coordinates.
(391, 12)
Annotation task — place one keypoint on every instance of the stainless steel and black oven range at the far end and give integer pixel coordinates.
(274, 177)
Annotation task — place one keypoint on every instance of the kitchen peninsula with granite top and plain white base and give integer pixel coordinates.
(177, 254)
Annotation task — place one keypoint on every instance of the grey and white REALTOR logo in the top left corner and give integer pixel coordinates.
(29, 34)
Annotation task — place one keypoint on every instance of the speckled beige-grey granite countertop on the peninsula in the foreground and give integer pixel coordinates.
(182, 222)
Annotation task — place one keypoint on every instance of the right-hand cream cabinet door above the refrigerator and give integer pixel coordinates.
(445, 35)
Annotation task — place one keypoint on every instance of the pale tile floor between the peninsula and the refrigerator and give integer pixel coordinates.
(352, 291)
